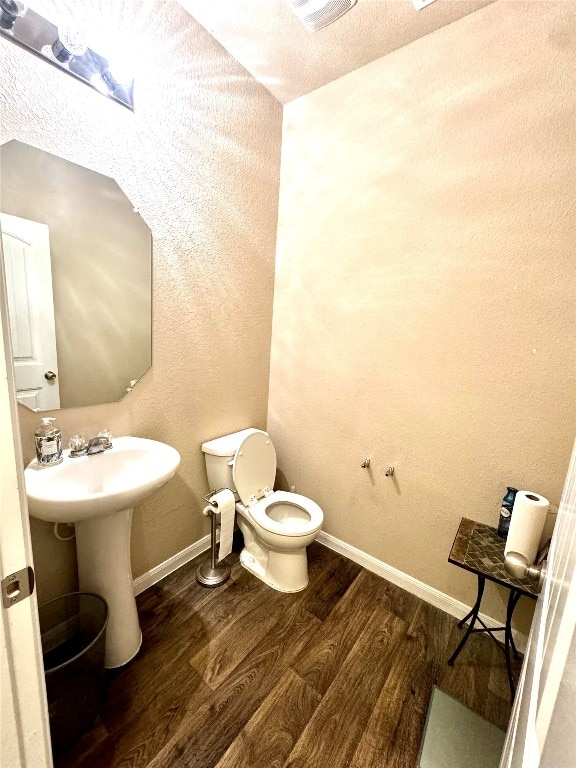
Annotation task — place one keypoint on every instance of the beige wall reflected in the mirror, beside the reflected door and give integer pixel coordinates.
(101, 255)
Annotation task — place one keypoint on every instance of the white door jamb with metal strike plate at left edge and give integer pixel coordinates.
(25, 737)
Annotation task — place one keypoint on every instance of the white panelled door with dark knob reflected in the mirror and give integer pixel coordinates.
(26, 247)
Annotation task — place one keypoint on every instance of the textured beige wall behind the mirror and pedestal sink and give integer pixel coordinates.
(199, 158)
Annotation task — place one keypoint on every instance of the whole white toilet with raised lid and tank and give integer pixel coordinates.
(277, 526)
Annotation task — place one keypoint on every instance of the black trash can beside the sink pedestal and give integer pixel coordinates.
(73, 629)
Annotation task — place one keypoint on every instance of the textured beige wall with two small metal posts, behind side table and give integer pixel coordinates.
(424, 310)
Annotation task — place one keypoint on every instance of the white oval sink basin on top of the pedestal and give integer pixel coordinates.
(101, 484)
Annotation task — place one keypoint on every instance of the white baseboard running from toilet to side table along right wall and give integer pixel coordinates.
(429, 594)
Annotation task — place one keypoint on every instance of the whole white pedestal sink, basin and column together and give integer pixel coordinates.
(97, 494)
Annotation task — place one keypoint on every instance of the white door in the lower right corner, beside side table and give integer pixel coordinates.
(541, 731)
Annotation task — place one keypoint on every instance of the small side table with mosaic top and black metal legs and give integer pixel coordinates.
(477, 548)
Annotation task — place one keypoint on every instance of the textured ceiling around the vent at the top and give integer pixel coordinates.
(289, 60)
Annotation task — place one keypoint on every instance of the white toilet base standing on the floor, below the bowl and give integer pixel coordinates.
(283, 571)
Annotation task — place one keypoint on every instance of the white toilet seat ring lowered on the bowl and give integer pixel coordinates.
(307, 516)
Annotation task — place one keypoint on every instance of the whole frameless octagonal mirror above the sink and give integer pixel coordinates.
(78, 269)
